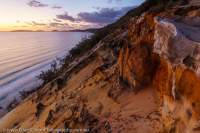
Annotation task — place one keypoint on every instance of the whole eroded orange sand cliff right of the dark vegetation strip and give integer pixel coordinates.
(140, 79)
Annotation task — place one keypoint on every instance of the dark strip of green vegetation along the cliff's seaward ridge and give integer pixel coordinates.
(88, 43)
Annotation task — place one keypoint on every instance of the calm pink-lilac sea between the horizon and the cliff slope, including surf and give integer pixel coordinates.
(23, 55)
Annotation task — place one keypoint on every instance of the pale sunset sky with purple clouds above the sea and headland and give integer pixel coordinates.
(61, 14)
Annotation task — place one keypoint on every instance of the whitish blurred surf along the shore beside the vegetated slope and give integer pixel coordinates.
(25, 80)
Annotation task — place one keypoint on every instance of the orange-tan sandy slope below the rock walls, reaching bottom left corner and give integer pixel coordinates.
(88, 91)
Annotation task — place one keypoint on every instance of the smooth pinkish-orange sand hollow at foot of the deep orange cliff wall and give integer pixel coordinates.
(138, 113)
